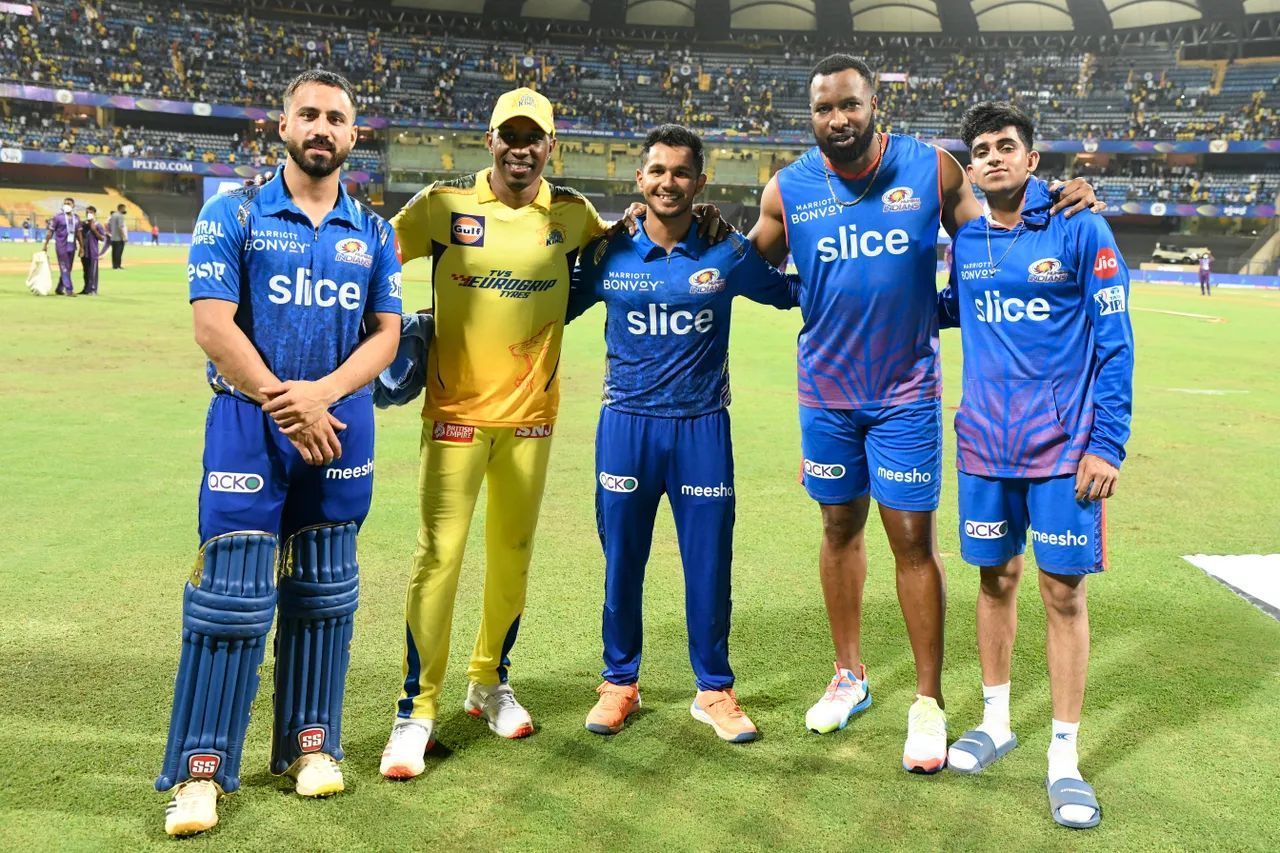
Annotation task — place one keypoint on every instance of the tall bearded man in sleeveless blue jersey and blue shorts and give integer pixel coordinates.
(861, 216)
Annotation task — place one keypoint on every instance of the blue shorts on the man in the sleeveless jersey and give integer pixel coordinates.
(895, 453)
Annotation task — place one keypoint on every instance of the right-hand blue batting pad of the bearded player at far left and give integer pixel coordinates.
(319, 587)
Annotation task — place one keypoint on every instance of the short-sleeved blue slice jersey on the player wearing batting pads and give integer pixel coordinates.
(301, 293)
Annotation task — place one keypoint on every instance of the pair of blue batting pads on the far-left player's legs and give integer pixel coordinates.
(227, 614)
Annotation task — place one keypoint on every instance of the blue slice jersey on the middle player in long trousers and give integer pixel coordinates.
(666, 329)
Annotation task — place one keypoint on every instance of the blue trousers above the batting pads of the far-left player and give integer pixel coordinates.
(255, 480)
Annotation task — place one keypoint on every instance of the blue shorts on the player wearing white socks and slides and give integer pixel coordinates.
(1069, 536)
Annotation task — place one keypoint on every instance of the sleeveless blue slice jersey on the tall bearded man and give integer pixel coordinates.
(868, 272)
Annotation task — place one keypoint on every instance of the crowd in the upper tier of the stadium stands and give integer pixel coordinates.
(193, 53)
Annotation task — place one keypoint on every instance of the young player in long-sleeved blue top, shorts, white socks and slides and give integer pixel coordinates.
(1043, 305)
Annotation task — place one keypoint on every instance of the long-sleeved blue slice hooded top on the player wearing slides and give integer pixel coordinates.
(1048, 343)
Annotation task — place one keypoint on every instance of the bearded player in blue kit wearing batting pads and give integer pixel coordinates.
(296, 293)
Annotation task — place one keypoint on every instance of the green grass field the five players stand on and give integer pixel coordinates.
(100, 464)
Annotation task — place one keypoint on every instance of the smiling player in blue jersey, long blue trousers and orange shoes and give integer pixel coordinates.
(665, 423)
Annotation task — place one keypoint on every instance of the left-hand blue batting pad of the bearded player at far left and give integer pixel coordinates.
(227, 613)
